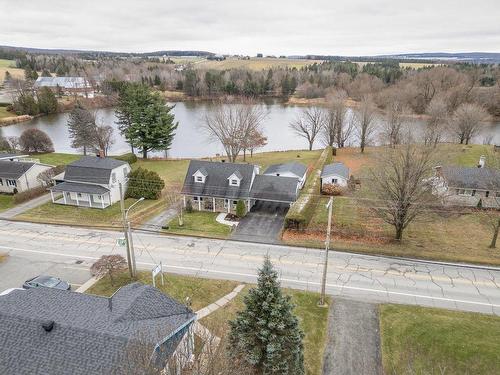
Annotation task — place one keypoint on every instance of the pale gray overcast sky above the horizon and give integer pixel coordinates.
(330, 27)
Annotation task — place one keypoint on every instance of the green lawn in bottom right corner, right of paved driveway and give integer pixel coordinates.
(428, 340)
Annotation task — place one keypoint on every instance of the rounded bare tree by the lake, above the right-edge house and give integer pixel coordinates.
(467, 120)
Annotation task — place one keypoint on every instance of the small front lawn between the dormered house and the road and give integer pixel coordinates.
(199, 223)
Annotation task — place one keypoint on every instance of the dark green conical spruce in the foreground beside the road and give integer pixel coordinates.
(266, 334)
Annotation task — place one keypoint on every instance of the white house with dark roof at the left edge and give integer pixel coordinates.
(18, 175)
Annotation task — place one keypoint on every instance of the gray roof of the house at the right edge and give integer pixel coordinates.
(472, 178)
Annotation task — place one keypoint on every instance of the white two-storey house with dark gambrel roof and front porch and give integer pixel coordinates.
(92, 181)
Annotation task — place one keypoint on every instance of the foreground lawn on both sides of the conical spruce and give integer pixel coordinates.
(313, 321)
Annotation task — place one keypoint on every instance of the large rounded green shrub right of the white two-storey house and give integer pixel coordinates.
(144, 183)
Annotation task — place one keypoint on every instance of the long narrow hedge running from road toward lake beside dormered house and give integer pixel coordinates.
(302, 211)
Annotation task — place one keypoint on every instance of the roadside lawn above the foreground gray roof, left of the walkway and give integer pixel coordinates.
(202, 292)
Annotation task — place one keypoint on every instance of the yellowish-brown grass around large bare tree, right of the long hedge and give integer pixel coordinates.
(454, 234)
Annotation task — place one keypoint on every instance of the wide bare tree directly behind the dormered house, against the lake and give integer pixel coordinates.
(233, 125)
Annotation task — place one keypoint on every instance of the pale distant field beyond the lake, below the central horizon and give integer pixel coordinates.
(253, 64)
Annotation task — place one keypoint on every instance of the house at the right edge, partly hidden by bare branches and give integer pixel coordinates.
(468, 186)
